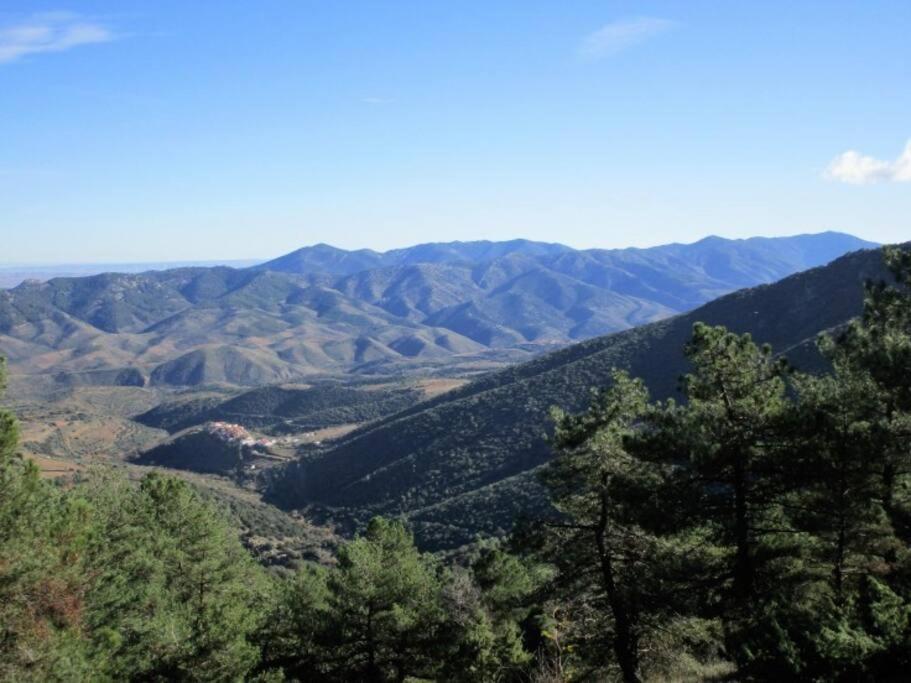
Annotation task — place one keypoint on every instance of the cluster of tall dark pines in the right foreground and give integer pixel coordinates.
(781, 547)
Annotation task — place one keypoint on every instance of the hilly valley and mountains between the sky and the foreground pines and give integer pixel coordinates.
(451, 441)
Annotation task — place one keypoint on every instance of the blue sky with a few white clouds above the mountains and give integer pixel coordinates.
(166, 130)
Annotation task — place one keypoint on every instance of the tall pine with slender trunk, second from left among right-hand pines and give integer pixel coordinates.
(729, 438)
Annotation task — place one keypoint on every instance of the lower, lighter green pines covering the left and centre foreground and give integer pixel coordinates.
(114, 580)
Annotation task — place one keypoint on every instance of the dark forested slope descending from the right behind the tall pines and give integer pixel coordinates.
(464, 463)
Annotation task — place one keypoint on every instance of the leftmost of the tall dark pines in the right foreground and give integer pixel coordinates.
(619, 582)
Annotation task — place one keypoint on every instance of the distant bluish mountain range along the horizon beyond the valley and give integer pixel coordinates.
(321, 310)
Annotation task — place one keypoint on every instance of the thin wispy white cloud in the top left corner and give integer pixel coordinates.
(49, 32)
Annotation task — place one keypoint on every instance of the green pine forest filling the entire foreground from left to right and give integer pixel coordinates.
(758, 529)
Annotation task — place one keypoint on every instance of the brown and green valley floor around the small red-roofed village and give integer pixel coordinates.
(67, 430)
